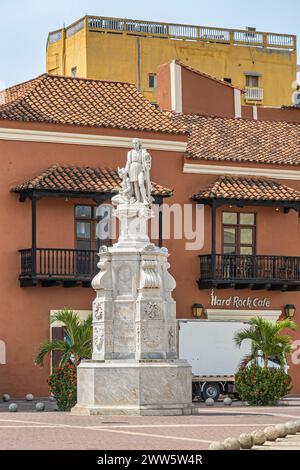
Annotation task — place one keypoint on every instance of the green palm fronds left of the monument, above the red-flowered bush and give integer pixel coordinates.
(77, 343)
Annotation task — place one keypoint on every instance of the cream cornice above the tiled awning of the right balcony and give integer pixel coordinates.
(280, 173)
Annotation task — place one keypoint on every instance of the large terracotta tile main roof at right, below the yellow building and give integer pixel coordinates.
(241, 140)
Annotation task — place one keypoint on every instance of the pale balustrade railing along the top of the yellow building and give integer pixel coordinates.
(180, 31)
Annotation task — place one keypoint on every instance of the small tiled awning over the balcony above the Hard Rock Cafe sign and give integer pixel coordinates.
(247, 188)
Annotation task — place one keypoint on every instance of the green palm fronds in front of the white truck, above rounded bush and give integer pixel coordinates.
(266, 341)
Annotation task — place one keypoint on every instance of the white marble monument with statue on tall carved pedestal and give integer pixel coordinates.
(135, 367)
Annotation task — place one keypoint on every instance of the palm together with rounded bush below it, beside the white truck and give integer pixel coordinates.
(263, 385)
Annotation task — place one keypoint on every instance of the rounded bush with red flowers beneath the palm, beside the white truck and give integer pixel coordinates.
(262, 386)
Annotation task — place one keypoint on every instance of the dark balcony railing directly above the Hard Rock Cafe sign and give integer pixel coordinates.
(249, 272)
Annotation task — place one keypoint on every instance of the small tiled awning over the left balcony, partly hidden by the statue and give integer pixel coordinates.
(80, 179)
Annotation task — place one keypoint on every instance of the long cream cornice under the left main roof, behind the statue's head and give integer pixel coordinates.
(26, 135)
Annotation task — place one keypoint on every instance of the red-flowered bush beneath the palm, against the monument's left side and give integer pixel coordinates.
(63, 385)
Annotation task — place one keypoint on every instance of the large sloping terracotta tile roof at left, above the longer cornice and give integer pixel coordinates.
(84, 102)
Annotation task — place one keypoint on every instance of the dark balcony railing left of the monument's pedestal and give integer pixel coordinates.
(57, 266)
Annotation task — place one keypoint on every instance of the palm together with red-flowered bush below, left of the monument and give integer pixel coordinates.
(77, 344)
